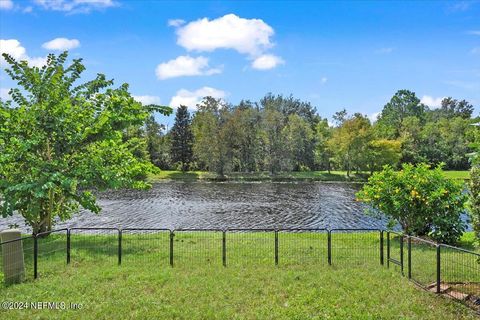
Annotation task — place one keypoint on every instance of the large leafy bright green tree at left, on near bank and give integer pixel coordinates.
(60, 139)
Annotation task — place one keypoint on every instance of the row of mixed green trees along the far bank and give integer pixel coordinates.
(281, 133)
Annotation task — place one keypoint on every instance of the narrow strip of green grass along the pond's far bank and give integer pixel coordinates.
(283, 176)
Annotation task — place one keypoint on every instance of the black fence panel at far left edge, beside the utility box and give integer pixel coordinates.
(28, 257)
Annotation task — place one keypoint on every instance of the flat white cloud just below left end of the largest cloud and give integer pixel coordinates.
(185, 66)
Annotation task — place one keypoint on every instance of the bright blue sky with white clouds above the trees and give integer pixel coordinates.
(352, 55)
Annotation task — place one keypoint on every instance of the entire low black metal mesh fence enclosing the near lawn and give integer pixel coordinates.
(436, 267)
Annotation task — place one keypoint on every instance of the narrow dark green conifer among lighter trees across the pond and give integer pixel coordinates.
(182, 138)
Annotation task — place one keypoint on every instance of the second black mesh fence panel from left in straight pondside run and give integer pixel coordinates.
(146, 245)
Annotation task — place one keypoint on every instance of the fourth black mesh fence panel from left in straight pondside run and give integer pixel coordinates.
(250, 246)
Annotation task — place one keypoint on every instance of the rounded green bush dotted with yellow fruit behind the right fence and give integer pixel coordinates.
(423, 201)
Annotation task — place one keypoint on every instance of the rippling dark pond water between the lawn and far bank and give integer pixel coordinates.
(177, 204)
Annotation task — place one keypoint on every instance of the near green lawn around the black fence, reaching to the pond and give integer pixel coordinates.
(302, 286)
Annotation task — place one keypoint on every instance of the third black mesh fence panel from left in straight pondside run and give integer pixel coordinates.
(194, 246)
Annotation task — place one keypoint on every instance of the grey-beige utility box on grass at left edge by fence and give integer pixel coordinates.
(12, 256)
